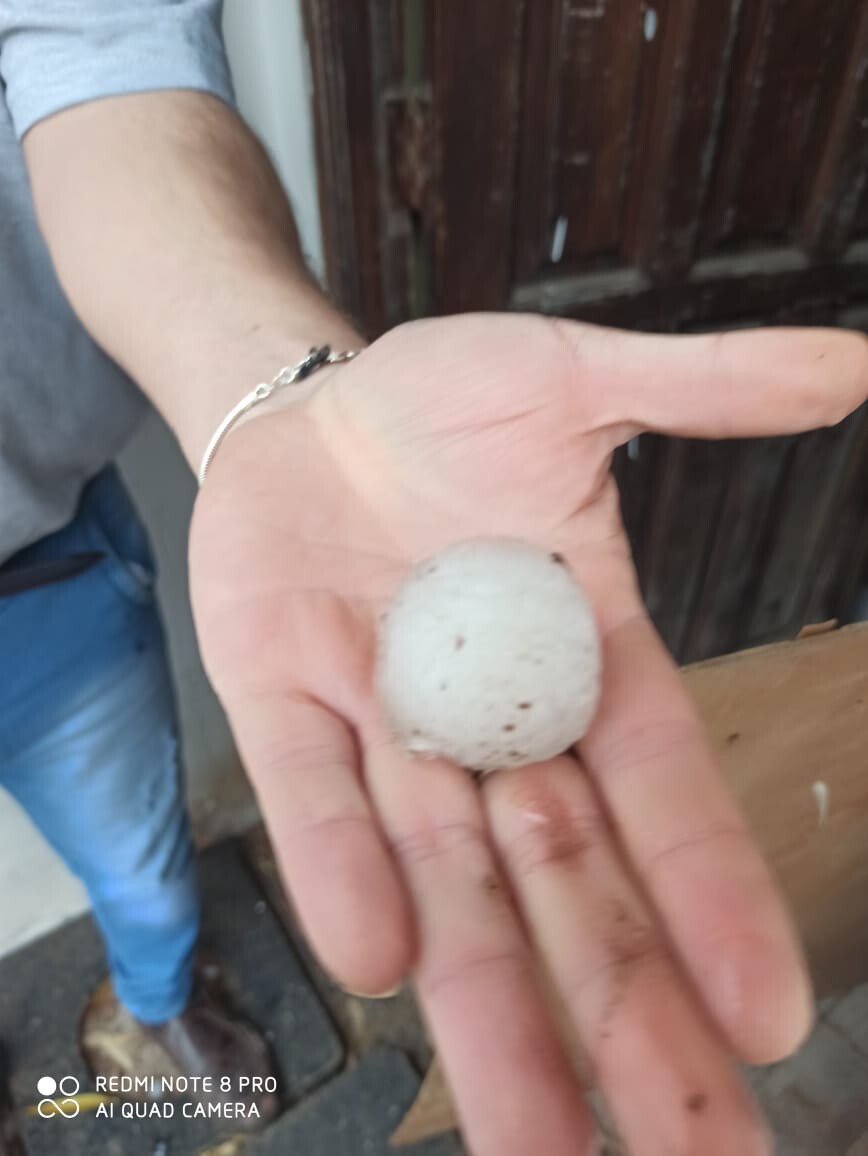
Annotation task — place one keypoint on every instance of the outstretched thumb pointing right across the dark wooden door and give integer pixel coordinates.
(744, 384)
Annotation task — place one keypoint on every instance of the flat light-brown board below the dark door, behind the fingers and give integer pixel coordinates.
(783, 718)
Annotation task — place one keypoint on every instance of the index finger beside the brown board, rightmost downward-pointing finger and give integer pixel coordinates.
(649, 755)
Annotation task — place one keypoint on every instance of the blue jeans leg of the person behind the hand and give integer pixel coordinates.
(90, 746)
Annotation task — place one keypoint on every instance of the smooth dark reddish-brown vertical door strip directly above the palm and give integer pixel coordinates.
(476, 80)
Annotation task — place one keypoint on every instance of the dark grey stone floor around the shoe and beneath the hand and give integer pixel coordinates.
(348, 1069)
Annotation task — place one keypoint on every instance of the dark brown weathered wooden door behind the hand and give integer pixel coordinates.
(677, 166)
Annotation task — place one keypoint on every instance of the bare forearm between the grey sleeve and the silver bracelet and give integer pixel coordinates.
(176, 247)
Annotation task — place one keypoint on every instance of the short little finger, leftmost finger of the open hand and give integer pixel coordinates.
(335, 861)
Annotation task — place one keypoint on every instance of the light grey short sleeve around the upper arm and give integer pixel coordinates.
(56, 54)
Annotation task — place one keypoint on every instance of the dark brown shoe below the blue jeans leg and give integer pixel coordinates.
(207, 1042)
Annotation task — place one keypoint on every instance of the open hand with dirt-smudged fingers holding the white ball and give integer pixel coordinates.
(626, 870)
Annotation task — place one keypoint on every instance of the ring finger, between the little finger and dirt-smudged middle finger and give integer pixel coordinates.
(513, 1083)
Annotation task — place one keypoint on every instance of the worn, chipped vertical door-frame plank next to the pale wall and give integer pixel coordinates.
(366, 81)
